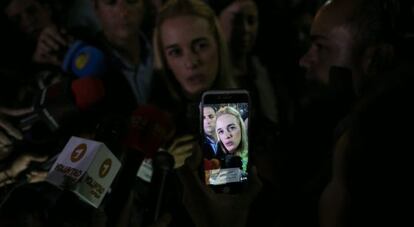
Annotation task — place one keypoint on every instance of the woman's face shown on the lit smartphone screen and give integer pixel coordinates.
(229, 131)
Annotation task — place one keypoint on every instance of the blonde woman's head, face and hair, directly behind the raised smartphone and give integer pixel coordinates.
(191, 54)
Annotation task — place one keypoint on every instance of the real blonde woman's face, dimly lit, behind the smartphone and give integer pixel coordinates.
(191, 52)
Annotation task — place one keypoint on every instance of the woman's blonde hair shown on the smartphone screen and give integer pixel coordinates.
(242, 149)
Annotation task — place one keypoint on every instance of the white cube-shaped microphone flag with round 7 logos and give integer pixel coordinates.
(85, 167)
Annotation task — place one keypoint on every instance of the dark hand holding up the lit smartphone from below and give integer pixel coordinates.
(207, 208)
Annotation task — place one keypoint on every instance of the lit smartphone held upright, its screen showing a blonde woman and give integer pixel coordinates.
(224, 128)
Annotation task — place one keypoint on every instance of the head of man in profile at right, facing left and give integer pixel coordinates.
(351, 34)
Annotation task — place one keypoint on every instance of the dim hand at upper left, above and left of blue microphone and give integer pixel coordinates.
(50, 43)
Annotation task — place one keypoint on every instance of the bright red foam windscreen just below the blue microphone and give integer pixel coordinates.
(87, 91)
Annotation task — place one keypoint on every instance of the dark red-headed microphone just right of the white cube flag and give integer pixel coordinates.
(148, 130)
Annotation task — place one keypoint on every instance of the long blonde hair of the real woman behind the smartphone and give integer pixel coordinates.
(198, 8)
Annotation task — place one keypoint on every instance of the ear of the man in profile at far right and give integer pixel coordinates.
(378, 57)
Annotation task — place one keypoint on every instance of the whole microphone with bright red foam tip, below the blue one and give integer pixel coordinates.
(63, 100)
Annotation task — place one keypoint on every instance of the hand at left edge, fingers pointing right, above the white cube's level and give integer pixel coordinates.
(6, 143)
